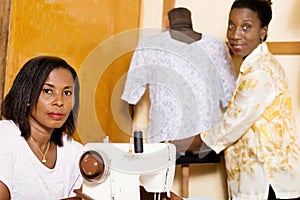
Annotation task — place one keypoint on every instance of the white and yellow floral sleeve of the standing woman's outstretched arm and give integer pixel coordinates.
(254, 93)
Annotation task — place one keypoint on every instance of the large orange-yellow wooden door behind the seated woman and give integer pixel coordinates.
(73, 30)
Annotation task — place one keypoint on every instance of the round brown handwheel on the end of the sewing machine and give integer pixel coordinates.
(93, 166)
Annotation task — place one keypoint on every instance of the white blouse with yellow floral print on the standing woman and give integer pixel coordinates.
(258, 133)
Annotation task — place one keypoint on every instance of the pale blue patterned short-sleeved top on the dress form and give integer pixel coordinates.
(187, 84)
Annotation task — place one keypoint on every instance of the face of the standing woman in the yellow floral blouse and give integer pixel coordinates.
(244, 31)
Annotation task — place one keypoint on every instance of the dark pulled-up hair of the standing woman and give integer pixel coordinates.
(261, 7)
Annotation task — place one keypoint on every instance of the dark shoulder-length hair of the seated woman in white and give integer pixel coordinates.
(25, 91)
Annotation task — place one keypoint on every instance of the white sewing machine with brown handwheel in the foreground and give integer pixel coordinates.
(113, 171)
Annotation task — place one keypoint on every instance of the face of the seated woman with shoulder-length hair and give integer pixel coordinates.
(55, 101)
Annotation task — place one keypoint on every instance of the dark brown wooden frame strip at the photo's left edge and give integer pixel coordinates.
(5, 10)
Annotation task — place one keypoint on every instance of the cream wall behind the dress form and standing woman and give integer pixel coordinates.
(210, 16)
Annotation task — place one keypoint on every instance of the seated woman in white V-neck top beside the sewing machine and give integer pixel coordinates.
(38, 158)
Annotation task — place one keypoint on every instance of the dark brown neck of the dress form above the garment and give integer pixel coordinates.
(181, 27)
